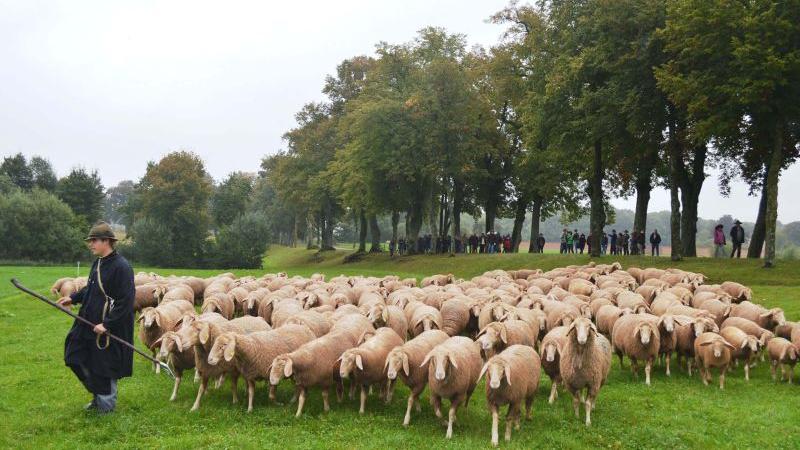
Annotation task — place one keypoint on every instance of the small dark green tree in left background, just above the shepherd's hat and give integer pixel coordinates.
(83, 192)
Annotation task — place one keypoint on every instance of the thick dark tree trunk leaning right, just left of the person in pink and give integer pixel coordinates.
(691, 184)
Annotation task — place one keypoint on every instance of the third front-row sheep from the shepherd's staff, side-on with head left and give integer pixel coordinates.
(253, 353)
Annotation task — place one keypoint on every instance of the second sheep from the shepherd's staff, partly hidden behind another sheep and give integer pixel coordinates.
(203, 333)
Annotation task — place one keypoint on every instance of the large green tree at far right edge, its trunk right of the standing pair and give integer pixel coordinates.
(734, 67)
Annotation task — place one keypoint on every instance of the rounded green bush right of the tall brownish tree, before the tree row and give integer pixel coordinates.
(242, 244)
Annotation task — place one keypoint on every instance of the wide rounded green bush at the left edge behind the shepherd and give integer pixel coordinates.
(37, 226)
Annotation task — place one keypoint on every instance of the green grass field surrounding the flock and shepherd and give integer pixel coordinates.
(41, 402)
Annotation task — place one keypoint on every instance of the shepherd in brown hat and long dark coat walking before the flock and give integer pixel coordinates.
(106, 300)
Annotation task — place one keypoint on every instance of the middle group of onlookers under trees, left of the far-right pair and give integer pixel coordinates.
(623, 243)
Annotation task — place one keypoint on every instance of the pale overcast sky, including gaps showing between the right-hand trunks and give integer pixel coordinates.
(110, 85)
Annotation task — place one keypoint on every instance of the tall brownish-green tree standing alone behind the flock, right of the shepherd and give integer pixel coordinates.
(173, 196)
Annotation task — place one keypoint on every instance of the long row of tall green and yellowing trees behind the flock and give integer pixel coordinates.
(580, 101)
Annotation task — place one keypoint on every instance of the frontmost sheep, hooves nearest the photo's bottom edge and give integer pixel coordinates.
(511, 378)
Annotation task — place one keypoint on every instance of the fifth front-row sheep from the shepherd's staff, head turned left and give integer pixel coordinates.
(366, 363)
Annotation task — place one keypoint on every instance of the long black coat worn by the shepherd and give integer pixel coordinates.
(116, 361)
